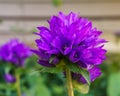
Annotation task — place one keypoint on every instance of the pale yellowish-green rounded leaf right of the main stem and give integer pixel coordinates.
(82, 88)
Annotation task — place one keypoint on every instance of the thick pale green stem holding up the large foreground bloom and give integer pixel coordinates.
(69, 83)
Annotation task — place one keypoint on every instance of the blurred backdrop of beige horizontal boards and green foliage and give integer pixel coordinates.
(19, 19)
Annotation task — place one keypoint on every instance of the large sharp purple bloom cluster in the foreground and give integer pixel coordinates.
(72, 37)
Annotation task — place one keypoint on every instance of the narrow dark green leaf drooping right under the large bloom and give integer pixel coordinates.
(74, 68)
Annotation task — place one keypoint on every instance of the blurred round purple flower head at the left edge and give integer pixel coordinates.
(14, 52)
